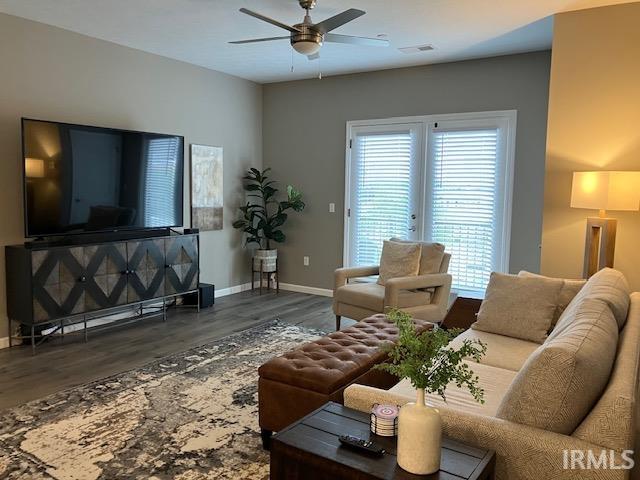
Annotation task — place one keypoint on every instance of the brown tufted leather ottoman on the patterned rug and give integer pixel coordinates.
(298, 382)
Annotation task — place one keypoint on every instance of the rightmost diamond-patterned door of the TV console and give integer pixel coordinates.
(181, 273)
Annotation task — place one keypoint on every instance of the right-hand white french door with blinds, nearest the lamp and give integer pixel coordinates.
(467, 196)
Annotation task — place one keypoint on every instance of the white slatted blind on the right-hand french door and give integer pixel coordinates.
(465, 203)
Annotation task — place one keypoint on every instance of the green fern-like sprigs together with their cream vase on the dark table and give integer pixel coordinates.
(430, 364)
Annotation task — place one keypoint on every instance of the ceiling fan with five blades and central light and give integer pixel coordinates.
(307, 37)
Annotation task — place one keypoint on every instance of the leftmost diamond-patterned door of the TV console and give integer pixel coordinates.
(58, 279)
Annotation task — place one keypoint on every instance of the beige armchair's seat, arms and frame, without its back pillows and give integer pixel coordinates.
(424, 296)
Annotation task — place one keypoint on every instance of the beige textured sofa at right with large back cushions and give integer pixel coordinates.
(575, 391)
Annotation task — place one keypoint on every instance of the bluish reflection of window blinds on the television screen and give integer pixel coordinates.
(162, 157)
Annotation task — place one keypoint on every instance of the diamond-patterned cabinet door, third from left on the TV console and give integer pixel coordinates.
(145, 262)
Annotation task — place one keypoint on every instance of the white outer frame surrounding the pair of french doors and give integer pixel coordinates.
(503, 119)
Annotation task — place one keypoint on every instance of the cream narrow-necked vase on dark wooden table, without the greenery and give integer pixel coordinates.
(419, 437)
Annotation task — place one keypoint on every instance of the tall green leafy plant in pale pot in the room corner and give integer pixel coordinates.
(263, 218)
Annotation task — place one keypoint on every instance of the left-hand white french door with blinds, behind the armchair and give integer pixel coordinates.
(384, 188)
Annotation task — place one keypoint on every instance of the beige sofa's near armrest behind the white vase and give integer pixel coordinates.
(522, 452)
